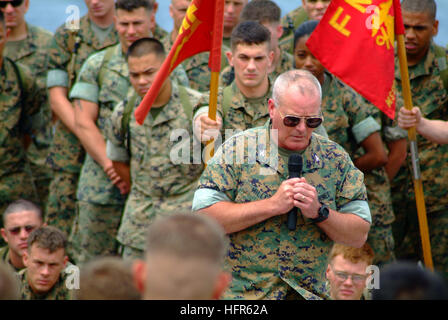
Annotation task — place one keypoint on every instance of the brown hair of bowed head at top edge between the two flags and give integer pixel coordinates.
(262, 11)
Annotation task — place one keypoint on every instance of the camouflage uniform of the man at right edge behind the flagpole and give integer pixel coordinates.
(430, 95)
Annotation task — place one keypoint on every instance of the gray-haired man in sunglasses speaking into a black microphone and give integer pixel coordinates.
(269, 261)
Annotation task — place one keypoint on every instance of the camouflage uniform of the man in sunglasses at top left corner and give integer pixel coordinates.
(33, 52)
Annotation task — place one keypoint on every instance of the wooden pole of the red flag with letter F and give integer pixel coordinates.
(412, 137)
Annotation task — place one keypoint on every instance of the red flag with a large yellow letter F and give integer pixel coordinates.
(355, 42)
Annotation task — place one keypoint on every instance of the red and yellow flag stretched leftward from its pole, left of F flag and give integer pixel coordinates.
(201, 30)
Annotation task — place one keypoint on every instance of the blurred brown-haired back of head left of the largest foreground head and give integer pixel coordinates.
(107, 278)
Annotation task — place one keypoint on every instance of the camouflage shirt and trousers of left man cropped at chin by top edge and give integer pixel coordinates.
(66, 153)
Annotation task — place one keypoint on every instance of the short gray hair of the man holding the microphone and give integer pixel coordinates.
(303, 81)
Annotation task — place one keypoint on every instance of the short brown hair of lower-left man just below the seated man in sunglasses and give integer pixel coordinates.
(47, 237)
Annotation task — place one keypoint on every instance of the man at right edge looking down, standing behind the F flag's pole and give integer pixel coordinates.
(428, 81)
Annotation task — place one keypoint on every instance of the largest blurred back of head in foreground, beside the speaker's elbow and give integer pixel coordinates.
(184, 257)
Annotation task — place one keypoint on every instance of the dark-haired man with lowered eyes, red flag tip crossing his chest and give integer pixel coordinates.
(163, 171)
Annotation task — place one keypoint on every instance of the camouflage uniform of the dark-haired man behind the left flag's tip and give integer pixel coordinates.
(159, 186)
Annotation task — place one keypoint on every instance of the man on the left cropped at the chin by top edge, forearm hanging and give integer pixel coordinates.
(71, 46)
